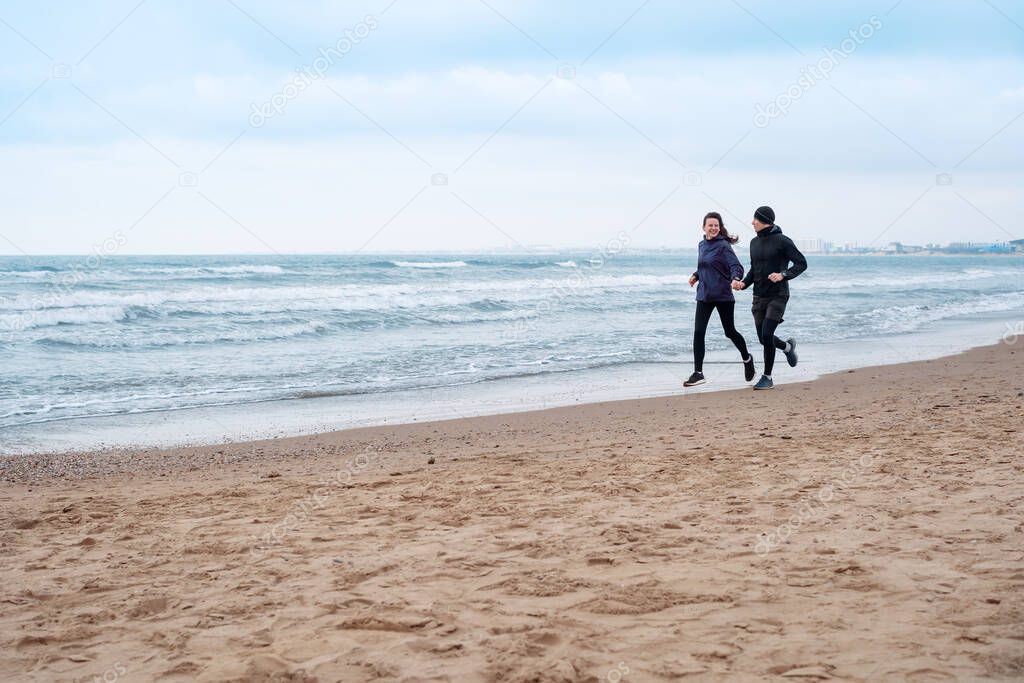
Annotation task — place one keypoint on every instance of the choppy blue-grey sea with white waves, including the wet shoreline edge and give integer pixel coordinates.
(112, 352)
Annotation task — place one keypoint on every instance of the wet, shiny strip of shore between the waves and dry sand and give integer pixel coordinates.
(296, 417)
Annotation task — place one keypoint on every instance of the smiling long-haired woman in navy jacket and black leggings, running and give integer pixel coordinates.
(717, 269)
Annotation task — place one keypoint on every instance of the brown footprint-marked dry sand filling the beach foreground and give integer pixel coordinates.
(614, 542)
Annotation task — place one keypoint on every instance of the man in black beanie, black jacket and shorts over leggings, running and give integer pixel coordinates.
(775, 262)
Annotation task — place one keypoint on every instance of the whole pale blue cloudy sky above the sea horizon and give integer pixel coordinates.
(252, 126)
